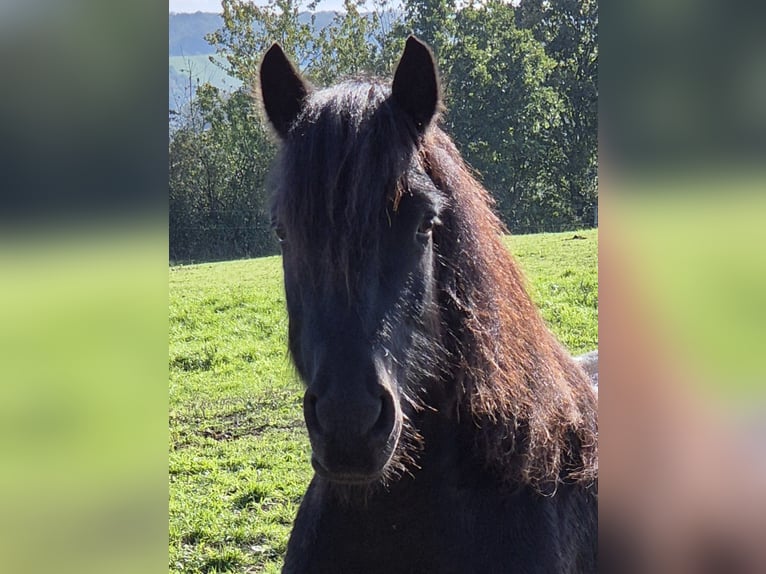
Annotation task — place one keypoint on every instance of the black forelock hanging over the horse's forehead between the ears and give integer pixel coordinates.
(341, 171)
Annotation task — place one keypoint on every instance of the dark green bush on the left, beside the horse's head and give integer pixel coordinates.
(219, 160)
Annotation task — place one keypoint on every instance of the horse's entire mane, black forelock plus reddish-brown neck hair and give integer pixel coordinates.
(533, 408)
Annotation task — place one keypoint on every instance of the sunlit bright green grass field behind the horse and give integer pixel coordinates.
(239, 454)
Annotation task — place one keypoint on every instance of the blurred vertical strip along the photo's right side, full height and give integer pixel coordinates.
(682, 277)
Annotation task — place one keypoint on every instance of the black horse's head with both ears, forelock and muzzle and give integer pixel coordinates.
(358, 221)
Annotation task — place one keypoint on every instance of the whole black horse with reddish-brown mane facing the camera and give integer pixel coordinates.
(450, 430)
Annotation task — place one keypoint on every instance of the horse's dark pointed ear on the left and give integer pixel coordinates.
(282, 88)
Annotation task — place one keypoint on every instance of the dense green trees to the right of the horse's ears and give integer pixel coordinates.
(521, 86)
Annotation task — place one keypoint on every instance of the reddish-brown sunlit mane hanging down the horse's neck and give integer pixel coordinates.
(533, 407)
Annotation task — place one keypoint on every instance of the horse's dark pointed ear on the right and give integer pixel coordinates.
(416, 85)
